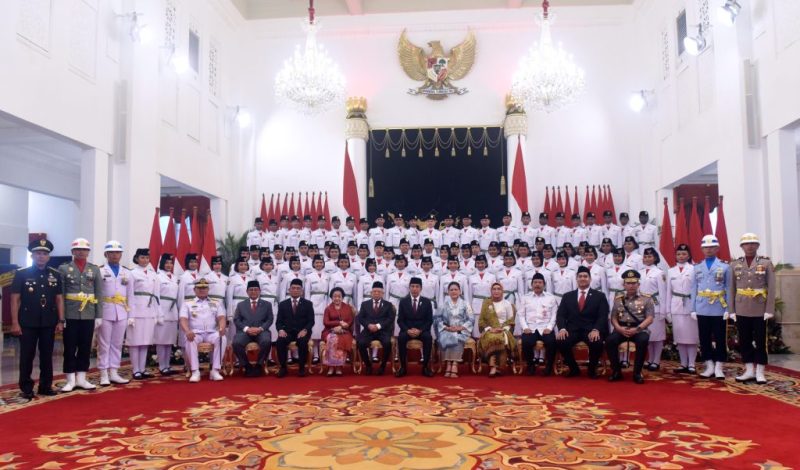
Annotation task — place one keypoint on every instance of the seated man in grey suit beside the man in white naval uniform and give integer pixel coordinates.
(252, 318)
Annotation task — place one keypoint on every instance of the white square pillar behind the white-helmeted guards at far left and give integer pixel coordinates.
(94, 200)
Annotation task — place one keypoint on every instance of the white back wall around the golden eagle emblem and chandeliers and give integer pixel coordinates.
(586, 143)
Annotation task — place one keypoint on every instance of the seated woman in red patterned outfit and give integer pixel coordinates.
(338, 319)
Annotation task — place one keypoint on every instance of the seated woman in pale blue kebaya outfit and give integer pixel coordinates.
(453, 322)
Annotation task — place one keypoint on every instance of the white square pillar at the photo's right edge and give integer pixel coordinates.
(783, 216)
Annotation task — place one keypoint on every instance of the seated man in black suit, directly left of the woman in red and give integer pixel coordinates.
(294, 323)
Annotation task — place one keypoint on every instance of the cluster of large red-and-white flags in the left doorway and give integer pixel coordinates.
(202, 241)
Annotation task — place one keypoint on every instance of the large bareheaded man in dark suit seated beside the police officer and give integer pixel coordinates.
(582, 317)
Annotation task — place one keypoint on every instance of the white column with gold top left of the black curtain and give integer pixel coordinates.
(357, 135)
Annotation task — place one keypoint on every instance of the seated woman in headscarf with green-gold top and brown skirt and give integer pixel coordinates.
(497, 330)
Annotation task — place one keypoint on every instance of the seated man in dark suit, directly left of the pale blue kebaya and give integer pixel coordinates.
(415, 318)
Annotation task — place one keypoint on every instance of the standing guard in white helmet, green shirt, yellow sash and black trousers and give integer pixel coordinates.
(82, 292)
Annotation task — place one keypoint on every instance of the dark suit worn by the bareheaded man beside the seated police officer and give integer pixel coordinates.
(579, 323)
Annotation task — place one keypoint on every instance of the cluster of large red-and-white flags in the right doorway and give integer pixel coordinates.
(690, 233)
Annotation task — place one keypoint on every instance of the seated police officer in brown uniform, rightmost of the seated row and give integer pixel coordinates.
(630, 312)
